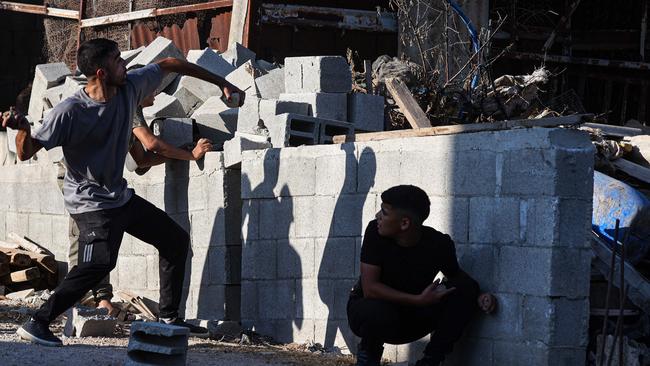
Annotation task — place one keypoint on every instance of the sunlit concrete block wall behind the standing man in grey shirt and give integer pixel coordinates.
(203, 198)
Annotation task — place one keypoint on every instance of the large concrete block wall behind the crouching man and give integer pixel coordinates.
(517, 203)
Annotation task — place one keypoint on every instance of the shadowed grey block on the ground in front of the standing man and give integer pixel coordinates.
(157, 344)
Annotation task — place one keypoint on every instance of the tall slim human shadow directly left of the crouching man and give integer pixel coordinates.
(336, 273)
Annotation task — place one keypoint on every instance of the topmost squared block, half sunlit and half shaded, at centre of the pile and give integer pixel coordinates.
(317, 74)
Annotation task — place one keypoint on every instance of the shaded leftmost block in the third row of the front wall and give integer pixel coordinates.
(259, 260)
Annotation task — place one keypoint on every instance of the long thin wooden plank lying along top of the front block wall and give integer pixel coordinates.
(458, 129)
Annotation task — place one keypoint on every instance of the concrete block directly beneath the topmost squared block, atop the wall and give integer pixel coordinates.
(322, 105)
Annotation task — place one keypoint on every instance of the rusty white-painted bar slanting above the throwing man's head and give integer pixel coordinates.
(153, 12)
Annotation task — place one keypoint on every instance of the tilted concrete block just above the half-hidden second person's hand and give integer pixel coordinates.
(216, 121)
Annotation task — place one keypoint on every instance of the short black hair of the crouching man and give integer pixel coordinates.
(411, 199)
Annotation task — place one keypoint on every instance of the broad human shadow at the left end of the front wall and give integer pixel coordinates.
(270, 255)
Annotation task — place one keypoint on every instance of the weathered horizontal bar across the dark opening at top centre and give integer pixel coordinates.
(313, 16)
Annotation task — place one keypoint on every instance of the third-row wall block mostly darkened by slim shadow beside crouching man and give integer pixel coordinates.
(335, 258)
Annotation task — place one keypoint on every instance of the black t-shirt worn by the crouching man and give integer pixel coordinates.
(408, 269)
